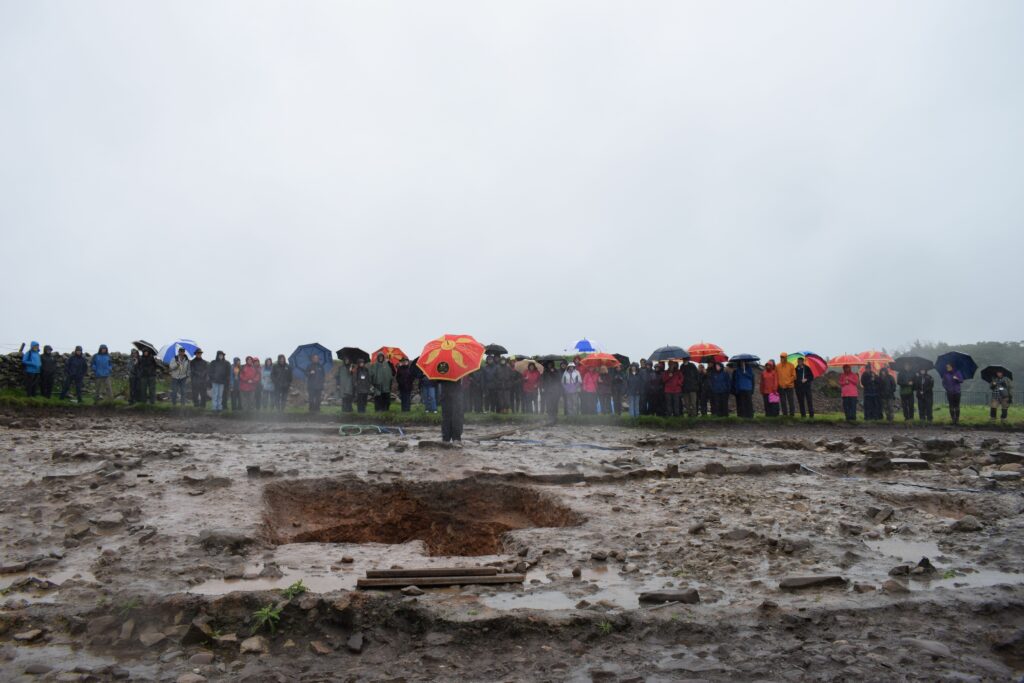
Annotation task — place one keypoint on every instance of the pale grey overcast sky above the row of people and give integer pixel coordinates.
(764, 176)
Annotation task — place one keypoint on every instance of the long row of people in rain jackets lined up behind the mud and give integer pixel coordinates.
(569, 388)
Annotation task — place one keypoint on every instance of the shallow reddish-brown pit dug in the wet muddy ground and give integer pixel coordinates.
(462, 518)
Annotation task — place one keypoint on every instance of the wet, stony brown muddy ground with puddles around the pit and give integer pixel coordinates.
(139, 548)
